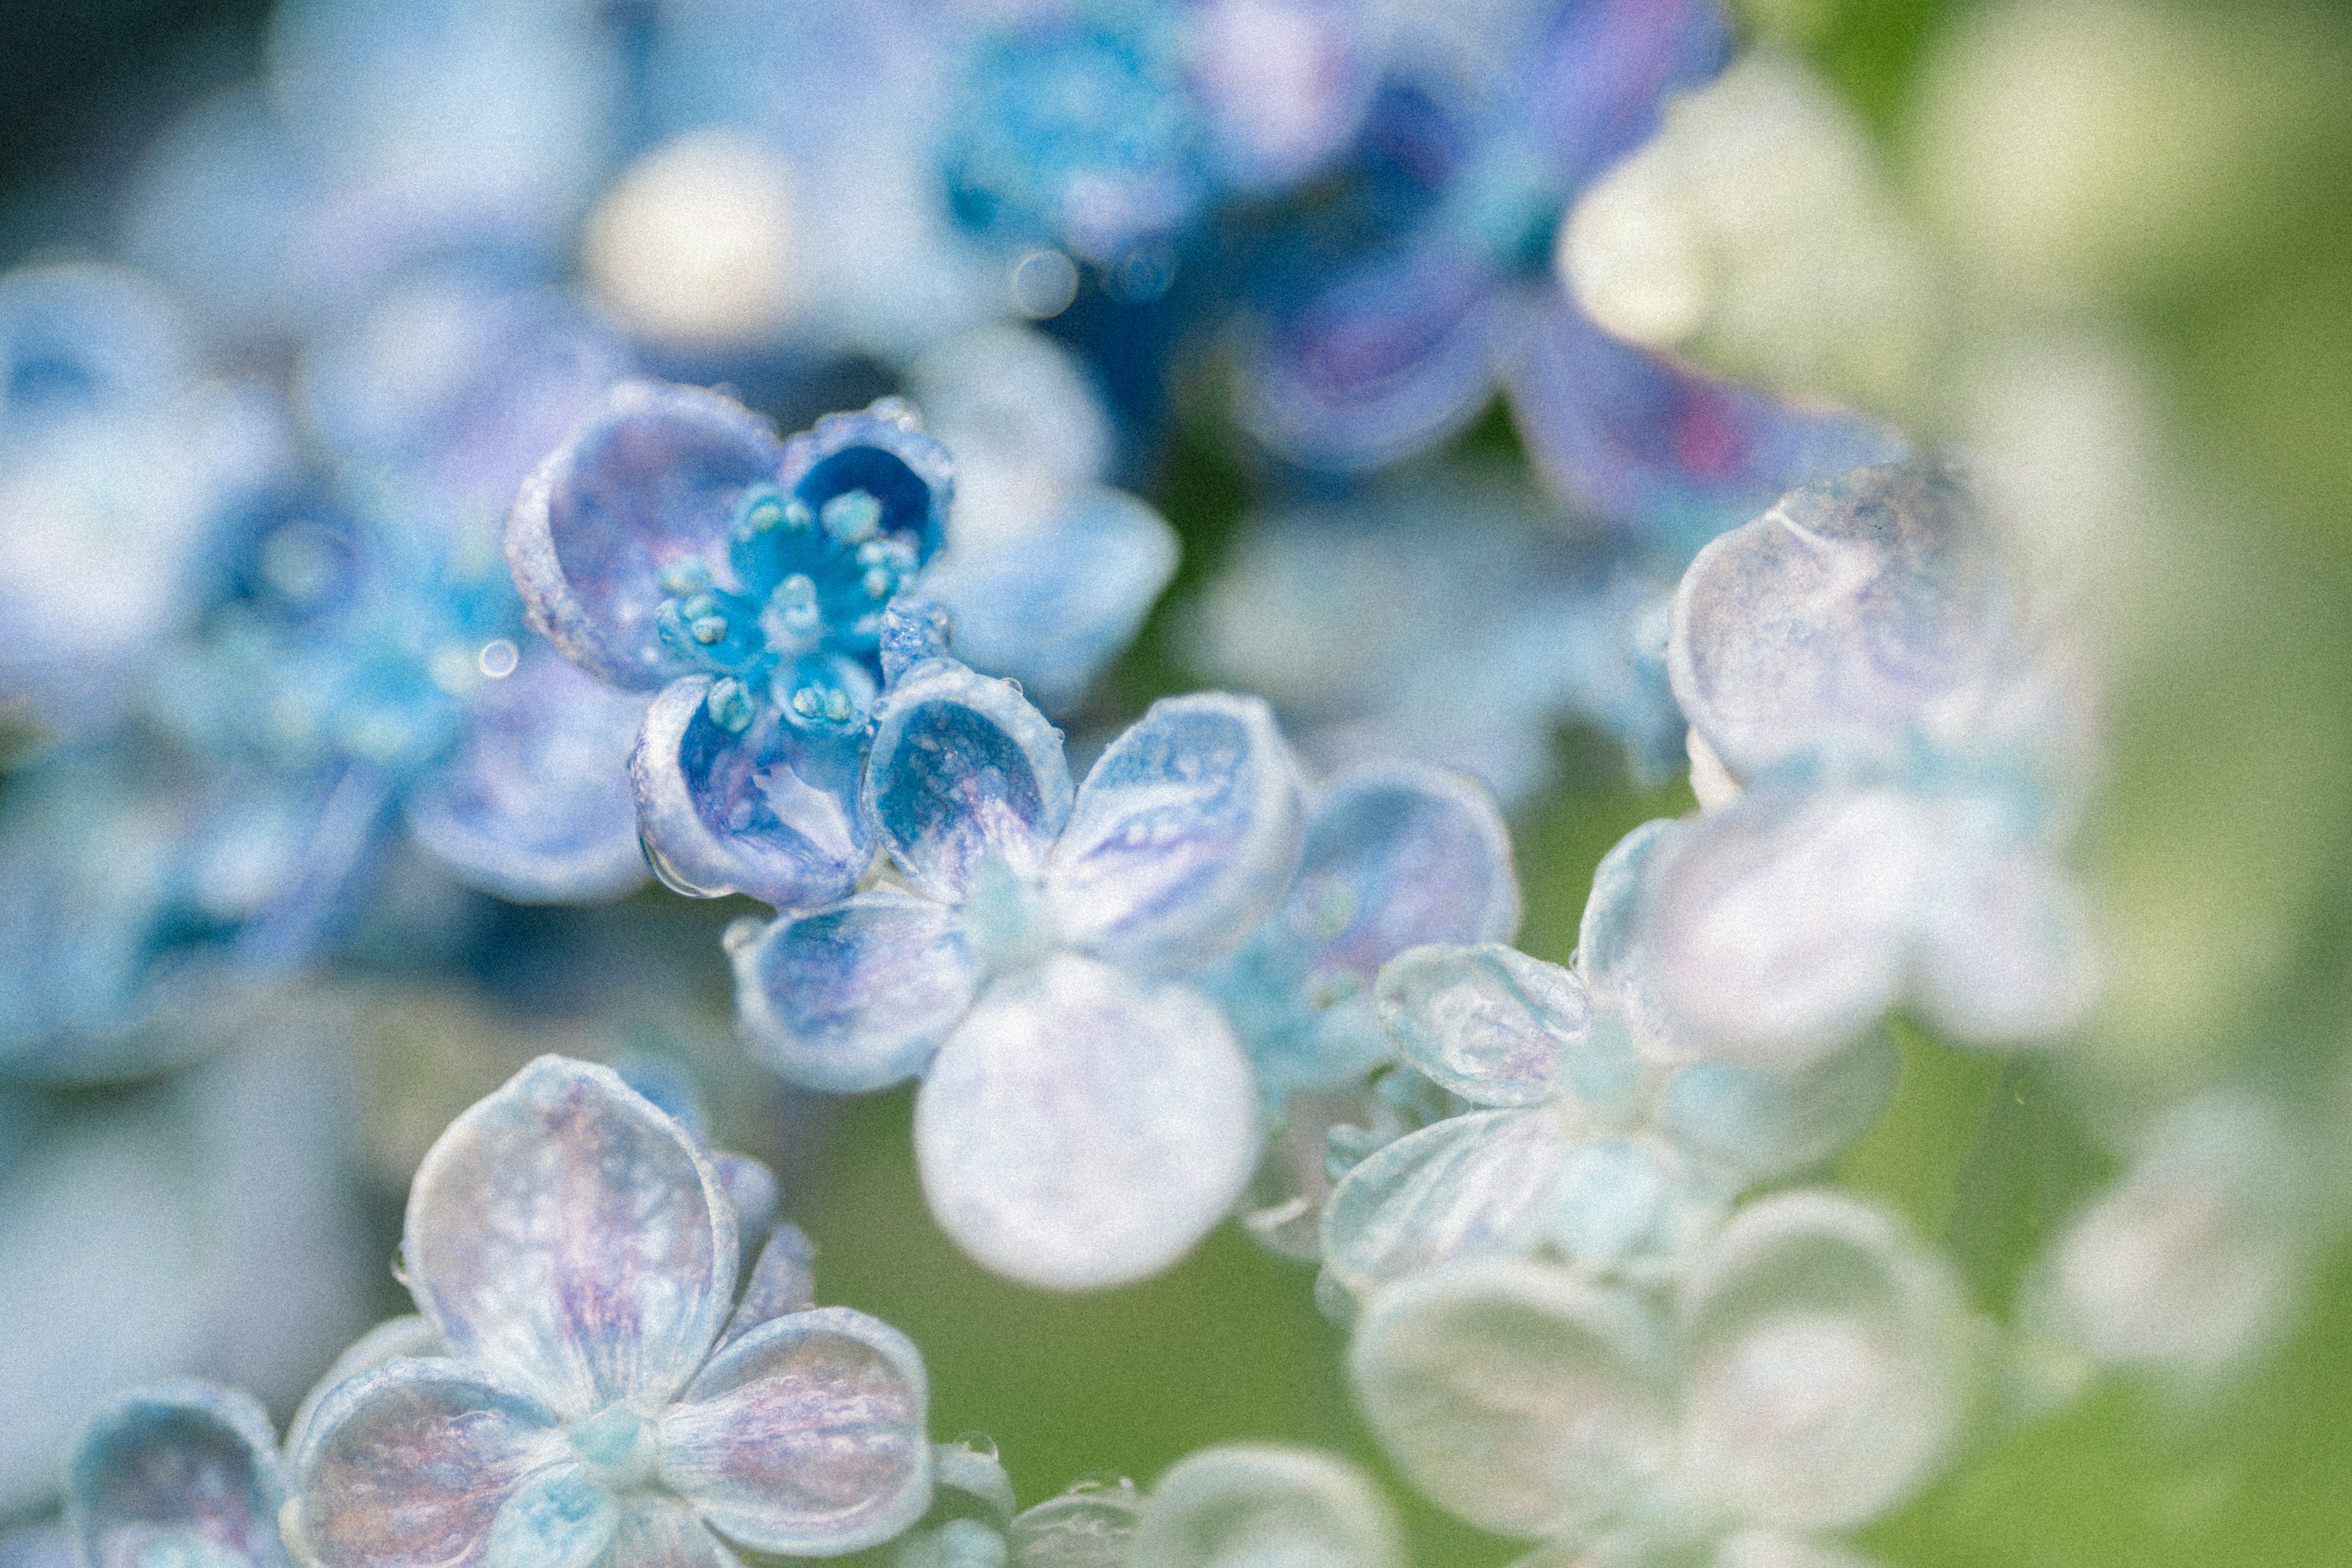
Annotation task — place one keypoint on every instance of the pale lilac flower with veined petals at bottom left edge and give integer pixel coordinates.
(601, 1395)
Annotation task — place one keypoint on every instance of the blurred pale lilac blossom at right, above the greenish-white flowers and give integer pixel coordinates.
(1895, 753)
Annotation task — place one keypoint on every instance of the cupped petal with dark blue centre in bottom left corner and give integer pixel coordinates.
(175, 1459)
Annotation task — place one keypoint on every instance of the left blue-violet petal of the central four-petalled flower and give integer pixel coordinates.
(860, 996)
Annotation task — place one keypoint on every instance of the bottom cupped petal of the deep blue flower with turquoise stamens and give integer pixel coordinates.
(768, 812)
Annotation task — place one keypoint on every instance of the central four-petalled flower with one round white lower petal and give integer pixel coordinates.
(1085, 1115)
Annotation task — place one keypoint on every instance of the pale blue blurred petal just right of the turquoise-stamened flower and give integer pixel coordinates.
(1060, 603)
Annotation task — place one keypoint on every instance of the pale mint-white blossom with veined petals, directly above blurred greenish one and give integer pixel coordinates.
(1610, 1137)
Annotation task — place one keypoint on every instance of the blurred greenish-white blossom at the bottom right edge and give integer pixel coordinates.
(1810, 1374)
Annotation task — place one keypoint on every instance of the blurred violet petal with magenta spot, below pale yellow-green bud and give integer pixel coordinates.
(1659, 450)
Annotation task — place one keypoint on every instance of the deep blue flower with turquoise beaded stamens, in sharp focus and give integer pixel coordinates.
(676, 547)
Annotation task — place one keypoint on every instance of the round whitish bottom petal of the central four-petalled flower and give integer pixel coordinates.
(1085, 1127)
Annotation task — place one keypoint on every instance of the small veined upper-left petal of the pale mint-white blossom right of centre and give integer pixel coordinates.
(1488, 1024)
